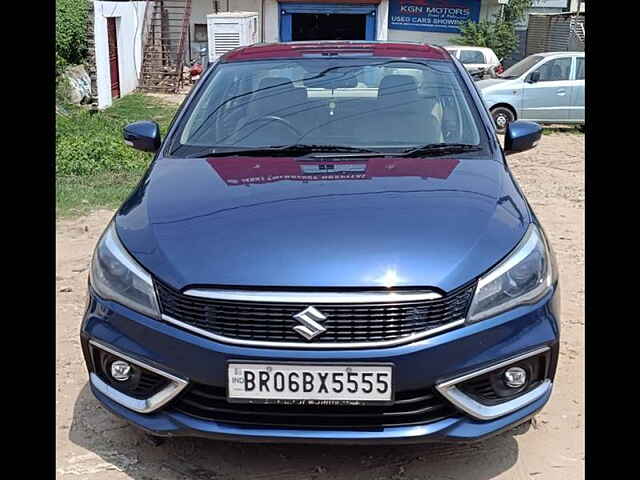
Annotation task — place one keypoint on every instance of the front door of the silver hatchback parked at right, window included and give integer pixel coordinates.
(548, 99)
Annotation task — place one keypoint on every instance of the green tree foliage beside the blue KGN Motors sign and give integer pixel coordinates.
(498, 34)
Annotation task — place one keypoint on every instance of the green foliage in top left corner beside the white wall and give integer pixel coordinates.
(71, 32)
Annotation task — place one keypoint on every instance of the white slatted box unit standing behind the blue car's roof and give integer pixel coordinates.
(229, 30)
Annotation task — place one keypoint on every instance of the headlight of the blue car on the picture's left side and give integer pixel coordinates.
(116, 276)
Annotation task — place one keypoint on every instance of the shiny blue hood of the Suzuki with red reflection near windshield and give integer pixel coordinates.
(283, 222)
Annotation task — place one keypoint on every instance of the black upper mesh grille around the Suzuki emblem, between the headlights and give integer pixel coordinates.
(345, 323)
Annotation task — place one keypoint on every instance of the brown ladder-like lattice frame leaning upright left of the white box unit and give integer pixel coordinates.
(165, 47)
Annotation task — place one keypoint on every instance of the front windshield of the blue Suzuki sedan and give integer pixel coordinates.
(365, 103)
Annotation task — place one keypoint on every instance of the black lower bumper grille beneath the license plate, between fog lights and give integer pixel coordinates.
(410, 408)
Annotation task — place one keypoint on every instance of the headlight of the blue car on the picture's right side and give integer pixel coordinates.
(525, 276)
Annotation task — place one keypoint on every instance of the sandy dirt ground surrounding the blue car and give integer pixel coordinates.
(91, 443)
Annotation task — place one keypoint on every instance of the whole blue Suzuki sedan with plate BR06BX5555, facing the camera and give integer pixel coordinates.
(328, 246)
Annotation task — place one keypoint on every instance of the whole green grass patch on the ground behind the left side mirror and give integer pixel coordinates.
(94, 168)
